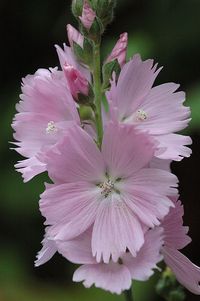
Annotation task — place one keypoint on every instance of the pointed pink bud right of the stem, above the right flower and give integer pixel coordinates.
(119, 51)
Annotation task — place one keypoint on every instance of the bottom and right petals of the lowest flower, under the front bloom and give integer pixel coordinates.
(117, 276)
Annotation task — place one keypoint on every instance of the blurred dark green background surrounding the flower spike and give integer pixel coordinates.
(166, 30)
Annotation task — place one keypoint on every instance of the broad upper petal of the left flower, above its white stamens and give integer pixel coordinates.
(47, 94)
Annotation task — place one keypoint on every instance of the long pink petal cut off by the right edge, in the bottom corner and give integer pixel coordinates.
(187, 273)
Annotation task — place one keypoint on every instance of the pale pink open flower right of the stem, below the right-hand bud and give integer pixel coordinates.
(158, 110)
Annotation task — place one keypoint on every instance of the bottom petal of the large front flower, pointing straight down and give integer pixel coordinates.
(116, 228)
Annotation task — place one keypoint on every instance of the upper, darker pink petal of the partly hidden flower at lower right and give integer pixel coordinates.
(175, 234)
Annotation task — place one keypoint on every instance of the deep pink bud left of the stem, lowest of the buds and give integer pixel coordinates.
(77, 83)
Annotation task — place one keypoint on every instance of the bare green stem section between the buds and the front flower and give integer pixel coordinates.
(97, 92)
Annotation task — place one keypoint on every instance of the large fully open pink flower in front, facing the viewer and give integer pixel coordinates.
(112, 190)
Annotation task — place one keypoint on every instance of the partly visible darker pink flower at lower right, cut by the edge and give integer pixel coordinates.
(176, 238)
